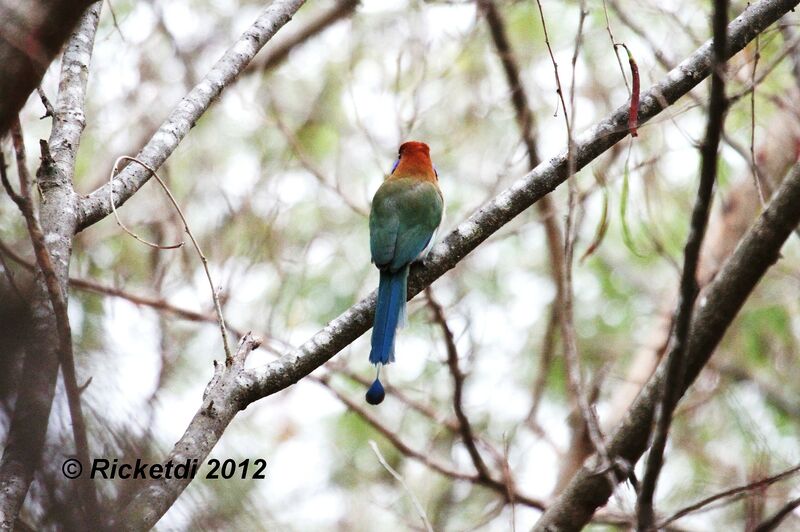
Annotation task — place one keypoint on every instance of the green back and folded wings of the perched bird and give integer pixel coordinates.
(405, 214)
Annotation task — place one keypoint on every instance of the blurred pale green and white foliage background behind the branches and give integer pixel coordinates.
(276, 179)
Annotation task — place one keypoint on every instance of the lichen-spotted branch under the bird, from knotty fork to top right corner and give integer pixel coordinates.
(521, 195)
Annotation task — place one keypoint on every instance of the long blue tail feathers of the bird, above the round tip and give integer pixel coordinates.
(389, 311)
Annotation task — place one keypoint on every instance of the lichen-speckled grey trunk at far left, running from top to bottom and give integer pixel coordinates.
(58, 218)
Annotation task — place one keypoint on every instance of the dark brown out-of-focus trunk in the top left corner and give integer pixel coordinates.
(32, 34)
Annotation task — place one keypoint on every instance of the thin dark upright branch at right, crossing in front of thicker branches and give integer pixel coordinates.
(676, 361)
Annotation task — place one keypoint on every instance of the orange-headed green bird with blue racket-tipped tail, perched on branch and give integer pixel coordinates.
(406, 212)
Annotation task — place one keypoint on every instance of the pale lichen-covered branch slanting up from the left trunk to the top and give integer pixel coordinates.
(95, 206)
